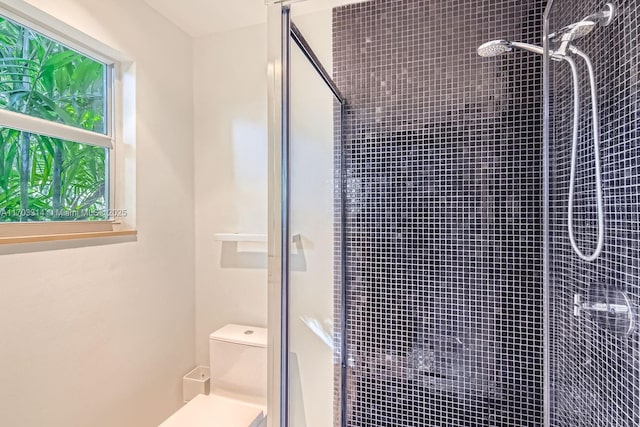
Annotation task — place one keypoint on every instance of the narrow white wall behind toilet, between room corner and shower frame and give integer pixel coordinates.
(230, 179)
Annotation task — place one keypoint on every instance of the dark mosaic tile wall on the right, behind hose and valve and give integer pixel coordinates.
(595, 364)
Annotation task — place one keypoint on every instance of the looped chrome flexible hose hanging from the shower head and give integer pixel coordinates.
(574, 154)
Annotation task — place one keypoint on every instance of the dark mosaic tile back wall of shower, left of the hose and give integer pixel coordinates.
(444, 213)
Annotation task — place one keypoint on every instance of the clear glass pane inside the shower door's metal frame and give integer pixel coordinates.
(311, 262)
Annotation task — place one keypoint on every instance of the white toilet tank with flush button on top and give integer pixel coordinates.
(238, 360)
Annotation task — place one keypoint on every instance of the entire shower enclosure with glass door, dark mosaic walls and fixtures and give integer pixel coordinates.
(422, 269)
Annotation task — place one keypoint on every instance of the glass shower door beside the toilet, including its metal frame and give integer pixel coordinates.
(305, 226)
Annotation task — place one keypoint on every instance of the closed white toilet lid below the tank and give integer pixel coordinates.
(215, 411)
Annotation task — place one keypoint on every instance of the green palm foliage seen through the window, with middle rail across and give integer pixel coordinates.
(59, 175)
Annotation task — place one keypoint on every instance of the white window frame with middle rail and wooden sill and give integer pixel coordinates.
(118, 139)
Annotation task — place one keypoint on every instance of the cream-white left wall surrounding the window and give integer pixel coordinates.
(101, 335)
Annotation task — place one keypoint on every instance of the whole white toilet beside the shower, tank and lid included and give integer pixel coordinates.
(238, 392)
